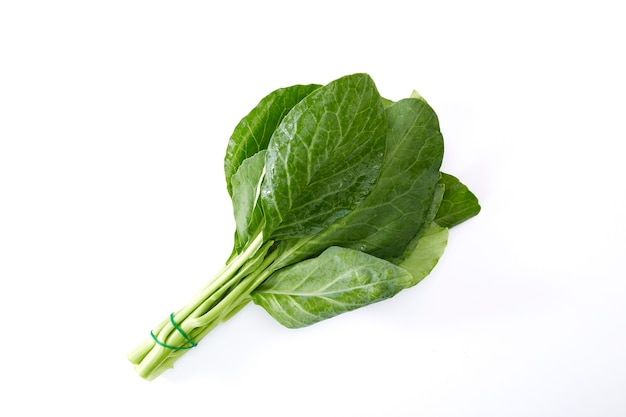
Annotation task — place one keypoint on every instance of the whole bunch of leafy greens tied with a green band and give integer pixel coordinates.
(338, 203)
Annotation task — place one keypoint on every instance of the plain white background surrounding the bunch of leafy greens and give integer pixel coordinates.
(114, 117)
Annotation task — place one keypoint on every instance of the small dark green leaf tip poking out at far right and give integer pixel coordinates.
(458, 205)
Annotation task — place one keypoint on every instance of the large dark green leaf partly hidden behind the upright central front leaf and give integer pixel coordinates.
(404, 200)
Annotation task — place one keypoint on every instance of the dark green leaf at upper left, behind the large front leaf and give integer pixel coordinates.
(253, 132)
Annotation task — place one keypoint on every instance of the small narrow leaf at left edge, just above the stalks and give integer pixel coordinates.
(246, 184)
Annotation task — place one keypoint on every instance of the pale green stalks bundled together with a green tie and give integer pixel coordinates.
(226, 294)
